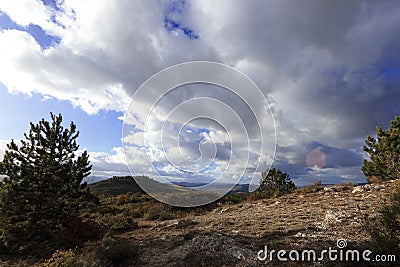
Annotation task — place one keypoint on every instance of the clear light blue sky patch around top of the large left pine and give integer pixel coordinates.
(100, 132)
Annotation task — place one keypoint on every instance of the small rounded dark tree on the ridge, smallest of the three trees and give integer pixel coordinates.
(275, 183)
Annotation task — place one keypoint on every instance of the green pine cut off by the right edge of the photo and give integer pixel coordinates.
(384, 151)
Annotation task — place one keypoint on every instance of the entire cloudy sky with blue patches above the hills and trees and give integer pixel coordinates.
(328, 70)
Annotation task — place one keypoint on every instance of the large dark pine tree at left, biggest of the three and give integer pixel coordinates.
(43, 186)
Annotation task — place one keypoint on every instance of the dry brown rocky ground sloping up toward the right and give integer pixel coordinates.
(232, 235)
